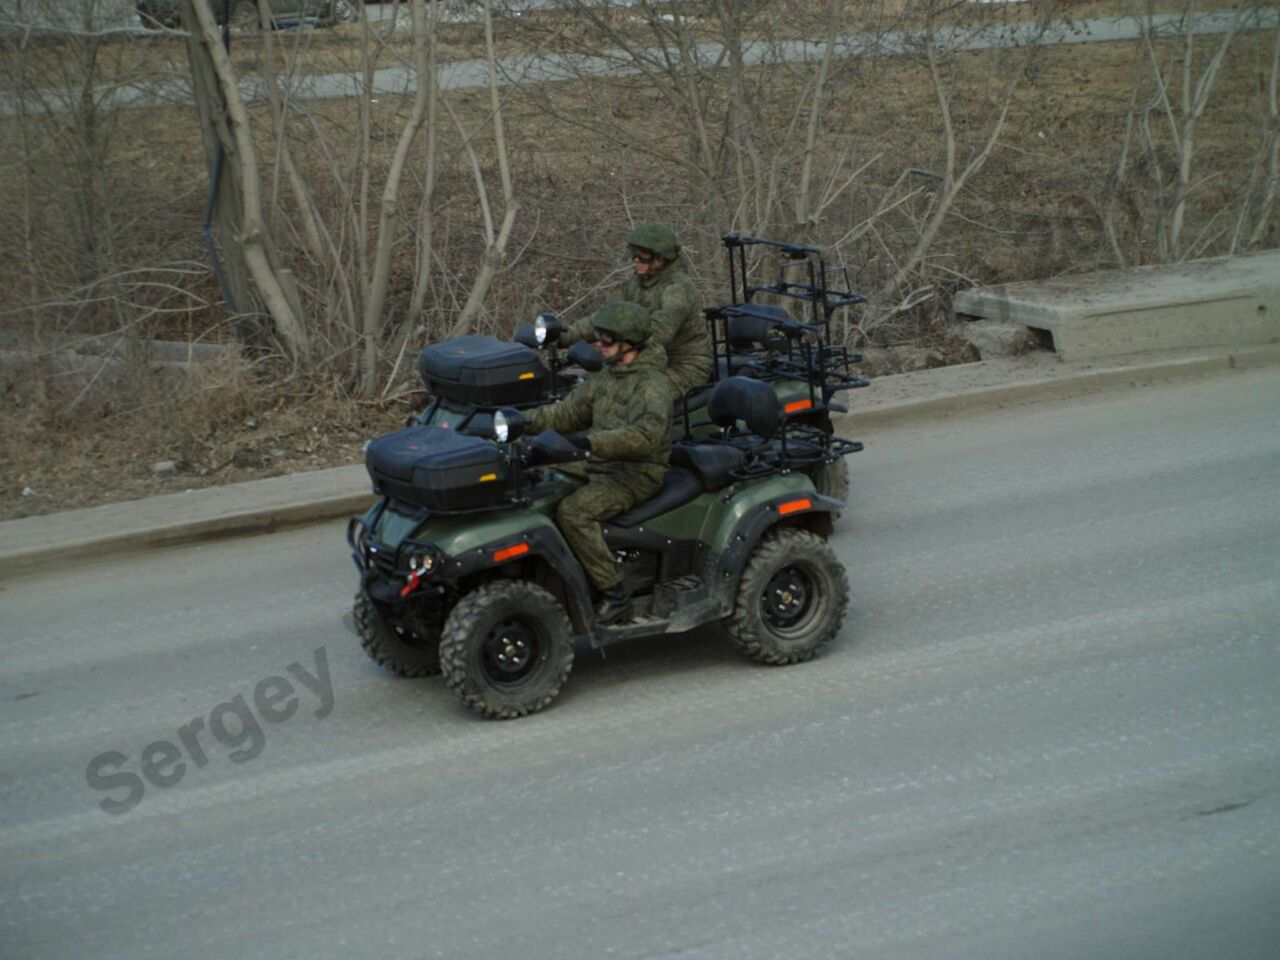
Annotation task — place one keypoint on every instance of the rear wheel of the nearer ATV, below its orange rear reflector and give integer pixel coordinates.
(792, 598)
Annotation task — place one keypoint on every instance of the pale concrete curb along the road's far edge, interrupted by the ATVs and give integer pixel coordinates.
(29, 546)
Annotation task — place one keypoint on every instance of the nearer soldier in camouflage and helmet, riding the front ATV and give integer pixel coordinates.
(625, 410)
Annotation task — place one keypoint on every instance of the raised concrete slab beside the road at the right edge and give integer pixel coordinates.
(1217, 303)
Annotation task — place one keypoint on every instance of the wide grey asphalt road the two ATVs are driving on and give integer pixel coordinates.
(1050, 728)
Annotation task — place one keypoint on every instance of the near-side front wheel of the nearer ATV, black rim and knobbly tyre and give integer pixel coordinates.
(506, 650)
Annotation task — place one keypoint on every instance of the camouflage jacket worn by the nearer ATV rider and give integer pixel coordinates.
(627, 414)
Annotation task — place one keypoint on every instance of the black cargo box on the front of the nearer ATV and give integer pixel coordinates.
(438, 469)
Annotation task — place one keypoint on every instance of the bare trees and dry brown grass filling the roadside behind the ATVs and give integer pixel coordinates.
(350, 232)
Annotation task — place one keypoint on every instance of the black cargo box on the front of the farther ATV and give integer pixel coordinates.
(482, 371)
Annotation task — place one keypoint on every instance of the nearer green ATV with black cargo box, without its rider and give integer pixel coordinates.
(465, 574)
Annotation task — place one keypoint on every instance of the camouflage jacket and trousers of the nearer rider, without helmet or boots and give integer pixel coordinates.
(628, 410)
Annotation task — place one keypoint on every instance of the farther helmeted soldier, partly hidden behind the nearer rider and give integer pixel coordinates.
(662, 287)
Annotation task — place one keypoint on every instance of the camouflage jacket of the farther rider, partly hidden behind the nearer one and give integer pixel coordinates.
(679, 326)
